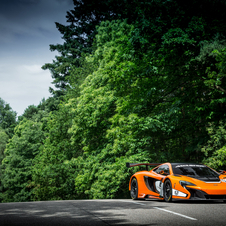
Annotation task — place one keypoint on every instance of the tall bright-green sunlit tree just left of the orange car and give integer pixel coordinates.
(106, 135)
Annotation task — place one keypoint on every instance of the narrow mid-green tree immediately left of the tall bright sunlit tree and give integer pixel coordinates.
(52, 175)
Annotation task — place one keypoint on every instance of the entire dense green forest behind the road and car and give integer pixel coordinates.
(135, 81)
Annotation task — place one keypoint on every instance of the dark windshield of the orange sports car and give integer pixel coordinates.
(194, 170)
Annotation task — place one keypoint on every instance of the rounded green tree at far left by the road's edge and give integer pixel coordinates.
(18, 161)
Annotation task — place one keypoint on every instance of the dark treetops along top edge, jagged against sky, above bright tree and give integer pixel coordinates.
(152, 17)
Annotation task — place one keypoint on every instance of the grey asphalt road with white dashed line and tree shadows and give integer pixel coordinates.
(112, 212)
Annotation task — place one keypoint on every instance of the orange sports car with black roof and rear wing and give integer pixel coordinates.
(184, 181)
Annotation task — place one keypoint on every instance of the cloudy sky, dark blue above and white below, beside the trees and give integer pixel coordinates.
(27, 28)
